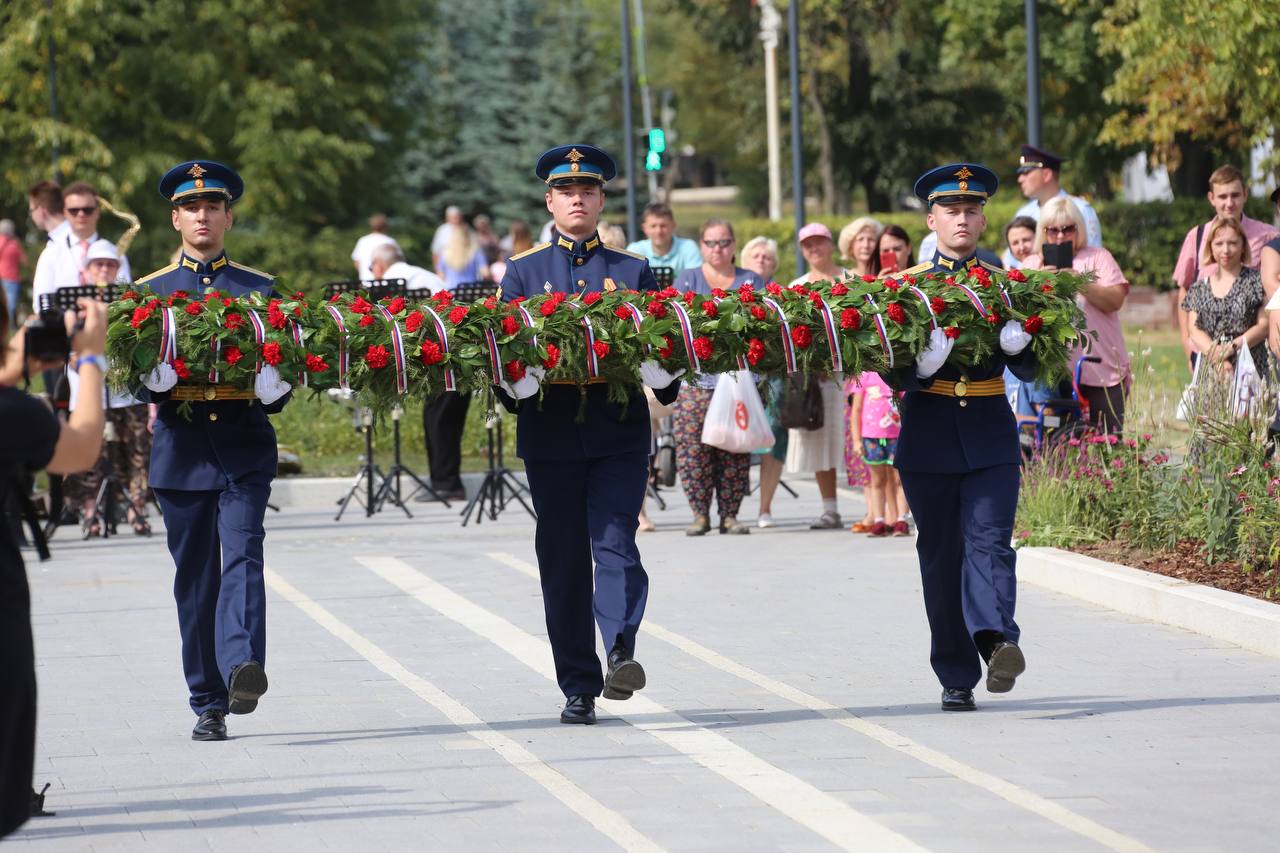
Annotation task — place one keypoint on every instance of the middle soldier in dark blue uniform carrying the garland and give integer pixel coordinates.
(588, 478)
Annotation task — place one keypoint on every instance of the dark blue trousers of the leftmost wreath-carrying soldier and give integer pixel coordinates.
(216, 539)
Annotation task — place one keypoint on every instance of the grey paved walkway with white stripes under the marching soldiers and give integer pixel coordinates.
(790, 708)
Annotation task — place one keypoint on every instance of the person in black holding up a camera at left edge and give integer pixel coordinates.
(34, 441)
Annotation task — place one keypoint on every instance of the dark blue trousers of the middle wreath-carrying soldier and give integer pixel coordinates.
(588, 513)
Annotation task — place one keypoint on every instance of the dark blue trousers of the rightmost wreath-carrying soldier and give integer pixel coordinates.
(966, 523)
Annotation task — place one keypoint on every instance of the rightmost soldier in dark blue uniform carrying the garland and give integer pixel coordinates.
(959, 462)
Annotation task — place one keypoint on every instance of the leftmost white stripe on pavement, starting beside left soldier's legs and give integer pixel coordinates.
(610, 823)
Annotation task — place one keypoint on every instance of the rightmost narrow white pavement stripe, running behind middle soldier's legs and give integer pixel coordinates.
(996, 786)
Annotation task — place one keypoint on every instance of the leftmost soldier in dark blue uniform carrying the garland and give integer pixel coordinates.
(212, 472)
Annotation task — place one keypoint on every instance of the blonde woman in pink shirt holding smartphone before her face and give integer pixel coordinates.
(1062, 243)
